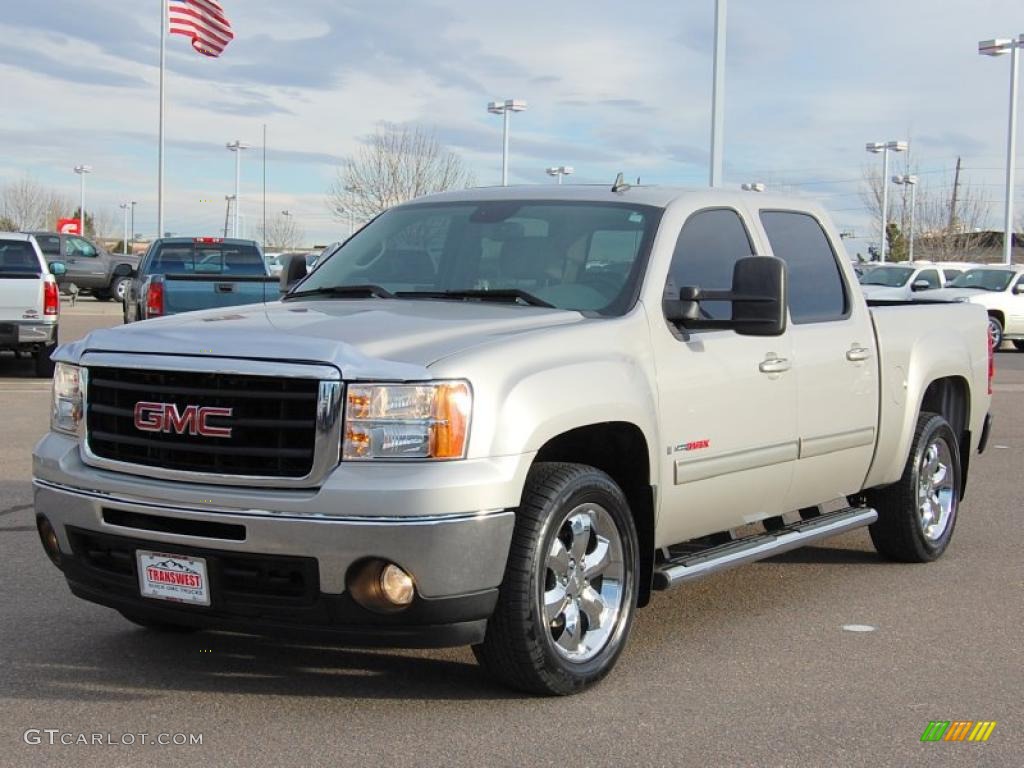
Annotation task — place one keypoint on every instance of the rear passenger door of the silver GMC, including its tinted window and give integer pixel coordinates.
(836, 366)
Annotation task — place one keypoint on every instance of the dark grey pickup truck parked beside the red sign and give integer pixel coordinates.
(91, 267)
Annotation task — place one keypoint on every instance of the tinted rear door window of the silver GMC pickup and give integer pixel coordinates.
(817, 291)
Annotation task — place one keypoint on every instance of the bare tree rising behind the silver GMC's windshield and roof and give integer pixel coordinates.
(399, 163)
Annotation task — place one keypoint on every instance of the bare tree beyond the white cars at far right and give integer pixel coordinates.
(937, 239)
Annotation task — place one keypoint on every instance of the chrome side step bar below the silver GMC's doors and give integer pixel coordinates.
(699, 565)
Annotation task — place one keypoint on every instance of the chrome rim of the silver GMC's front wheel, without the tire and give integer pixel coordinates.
(582, 592)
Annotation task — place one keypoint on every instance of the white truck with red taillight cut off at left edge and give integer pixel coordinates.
(30, 302)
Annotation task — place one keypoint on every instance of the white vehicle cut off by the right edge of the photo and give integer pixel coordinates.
(1000, 289)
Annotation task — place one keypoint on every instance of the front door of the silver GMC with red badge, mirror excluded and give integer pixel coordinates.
(728, 402)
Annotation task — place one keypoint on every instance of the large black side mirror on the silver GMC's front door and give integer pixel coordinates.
(758, 297)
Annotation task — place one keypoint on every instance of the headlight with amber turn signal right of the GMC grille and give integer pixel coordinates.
(408, 421)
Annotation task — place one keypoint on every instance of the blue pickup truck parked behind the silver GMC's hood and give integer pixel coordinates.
(181, 275)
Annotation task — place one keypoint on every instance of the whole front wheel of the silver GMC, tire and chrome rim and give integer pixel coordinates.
(570, 593)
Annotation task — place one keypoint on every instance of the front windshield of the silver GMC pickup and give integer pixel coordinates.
(581, 257)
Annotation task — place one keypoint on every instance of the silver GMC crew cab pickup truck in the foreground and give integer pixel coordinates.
(502, 418)
